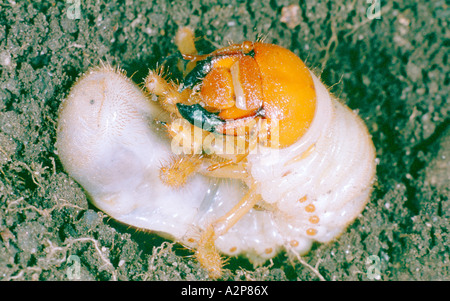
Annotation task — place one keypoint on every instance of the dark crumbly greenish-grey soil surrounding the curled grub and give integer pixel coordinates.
(394, 70)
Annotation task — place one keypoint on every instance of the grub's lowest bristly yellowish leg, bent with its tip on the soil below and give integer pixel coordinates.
(207, 253)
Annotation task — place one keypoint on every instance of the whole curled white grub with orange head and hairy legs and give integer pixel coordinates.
(309, 187)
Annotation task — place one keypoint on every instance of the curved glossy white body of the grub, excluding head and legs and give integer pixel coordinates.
(114, 149)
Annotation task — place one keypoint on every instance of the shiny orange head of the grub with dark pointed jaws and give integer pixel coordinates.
(252, 81)
